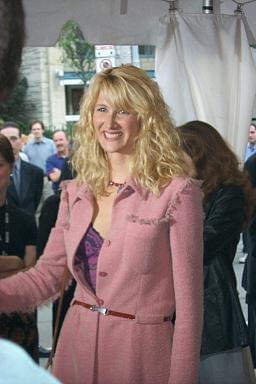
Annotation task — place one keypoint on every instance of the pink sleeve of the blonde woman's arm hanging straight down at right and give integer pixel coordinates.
(186, 238)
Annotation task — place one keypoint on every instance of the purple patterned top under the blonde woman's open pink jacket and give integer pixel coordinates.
(87, 255)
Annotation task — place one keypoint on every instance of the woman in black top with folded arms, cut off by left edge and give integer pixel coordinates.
(17, 253)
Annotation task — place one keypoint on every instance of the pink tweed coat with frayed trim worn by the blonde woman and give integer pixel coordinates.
(150, 265)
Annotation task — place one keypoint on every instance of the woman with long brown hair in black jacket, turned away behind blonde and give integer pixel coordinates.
(228, 203)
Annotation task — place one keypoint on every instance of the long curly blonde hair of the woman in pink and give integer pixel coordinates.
(157, 155)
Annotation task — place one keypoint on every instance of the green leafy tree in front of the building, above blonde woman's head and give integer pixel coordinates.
(76, 51)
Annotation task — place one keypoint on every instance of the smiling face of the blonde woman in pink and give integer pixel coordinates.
(116, 130)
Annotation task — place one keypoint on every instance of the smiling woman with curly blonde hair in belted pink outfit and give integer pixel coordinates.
(130, 230)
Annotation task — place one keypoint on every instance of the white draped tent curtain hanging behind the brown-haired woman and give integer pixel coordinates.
(205, 68)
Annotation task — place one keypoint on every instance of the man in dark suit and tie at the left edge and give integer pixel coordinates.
(26, 186)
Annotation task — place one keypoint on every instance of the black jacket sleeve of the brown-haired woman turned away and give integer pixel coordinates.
(223, 220)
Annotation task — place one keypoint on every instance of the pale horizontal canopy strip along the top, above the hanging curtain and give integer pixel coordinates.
(112, 21)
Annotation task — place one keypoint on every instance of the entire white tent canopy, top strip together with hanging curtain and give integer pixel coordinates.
(225, 100)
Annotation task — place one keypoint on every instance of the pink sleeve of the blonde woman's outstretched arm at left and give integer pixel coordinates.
(27, 290)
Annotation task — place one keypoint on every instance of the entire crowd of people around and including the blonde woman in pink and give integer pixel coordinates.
(141, 223)
